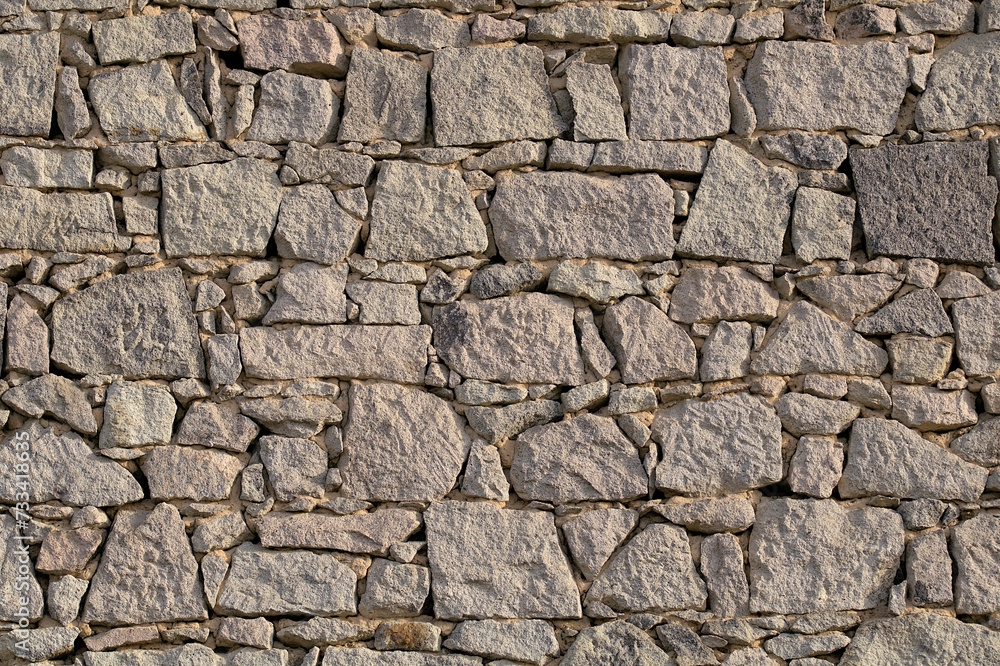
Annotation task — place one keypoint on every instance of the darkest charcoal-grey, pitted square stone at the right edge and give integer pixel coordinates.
(933, 200)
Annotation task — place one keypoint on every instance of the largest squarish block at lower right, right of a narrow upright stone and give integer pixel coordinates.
(804, 556)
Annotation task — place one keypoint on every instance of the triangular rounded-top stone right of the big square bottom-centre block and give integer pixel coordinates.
(653, 573)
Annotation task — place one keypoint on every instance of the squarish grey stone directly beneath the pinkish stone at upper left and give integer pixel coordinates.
(293, 107)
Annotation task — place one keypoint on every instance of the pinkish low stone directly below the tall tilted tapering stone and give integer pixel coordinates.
(728, 293)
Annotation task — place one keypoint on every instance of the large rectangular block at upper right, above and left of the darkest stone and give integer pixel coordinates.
(817, 86)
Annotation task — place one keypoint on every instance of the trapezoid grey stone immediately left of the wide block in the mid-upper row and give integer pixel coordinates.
(422, 212)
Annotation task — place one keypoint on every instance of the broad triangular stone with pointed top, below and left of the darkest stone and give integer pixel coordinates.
(810, 341)
